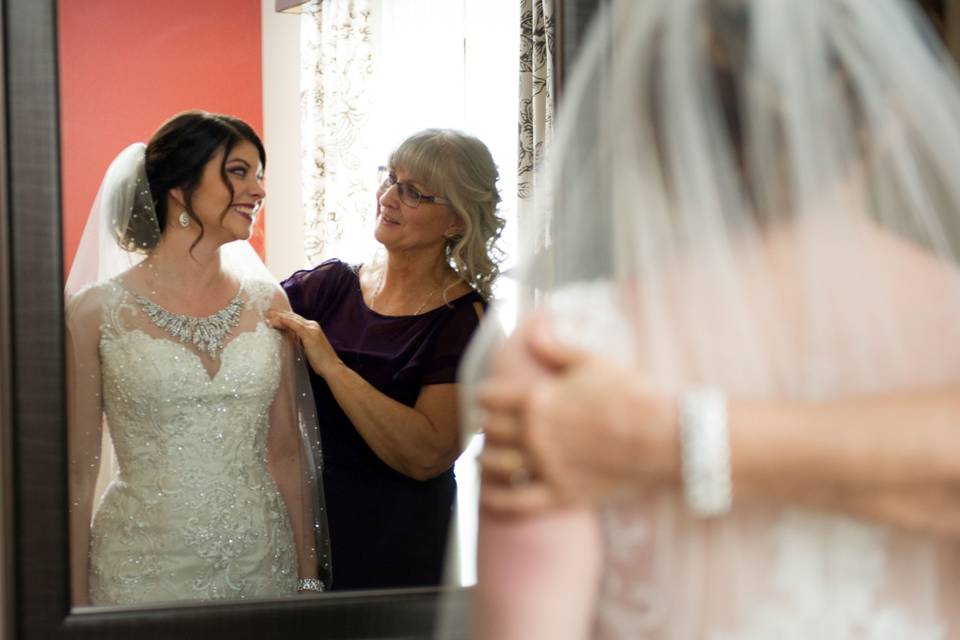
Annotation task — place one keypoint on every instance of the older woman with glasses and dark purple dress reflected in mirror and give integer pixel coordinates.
(384, 342)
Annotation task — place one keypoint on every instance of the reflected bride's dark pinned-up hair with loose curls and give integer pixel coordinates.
(175, 158)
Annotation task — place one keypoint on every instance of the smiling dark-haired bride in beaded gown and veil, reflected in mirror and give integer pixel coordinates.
(215, 494)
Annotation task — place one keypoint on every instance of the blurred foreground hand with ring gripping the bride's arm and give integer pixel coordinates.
(585, 428)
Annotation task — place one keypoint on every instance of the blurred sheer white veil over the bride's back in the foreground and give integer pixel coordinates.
(760, 195)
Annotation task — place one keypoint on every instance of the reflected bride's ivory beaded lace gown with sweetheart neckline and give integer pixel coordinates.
(194, 512)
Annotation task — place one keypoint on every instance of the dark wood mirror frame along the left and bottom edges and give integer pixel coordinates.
(36, 584)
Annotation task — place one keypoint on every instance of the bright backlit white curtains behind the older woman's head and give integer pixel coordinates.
(375, 71)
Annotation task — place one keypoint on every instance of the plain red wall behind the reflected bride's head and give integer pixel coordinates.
(128, 65)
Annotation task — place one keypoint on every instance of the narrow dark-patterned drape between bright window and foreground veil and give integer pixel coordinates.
(537, 40)
